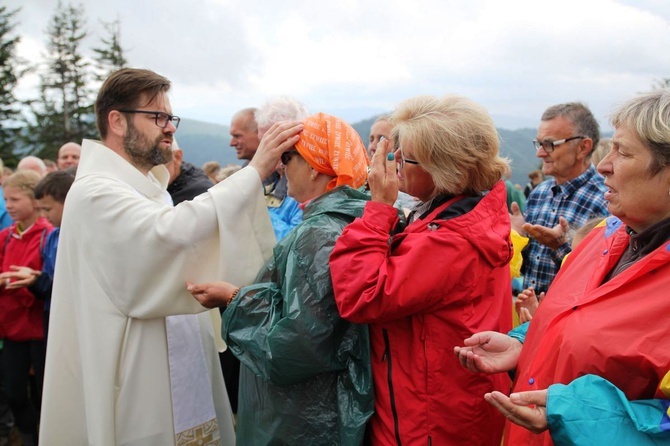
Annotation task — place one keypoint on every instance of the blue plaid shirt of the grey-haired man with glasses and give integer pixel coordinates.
(578, 201)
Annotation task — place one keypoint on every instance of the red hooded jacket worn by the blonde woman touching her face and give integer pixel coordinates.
(423, 291)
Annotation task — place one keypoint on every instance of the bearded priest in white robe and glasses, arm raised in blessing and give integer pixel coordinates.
(131, 356)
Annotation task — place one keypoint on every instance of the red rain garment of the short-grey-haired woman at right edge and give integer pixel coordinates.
(617, 331)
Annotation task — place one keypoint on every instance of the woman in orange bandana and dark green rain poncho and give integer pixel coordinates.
(305, 375)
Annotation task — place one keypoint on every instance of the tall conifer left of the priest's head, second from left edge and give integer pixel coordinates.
(64, 111)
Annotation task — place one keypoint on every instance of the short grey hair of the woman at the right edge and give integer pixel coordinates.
(648, 114)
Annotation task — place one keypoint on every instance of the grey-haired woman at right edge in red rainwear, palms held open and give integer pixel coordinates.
(593, 366)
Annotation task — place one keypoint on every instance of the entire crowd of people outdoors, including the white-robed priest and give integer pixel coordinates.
(326, 292)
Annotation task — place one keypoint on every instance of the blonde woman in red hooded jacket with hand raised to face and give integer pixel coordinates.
(443, 276)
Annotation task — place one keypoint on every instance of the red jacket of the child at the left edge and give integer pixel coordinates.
(20, 313)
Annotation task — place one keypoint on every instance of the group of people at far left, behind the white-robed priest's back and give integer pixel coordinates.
(32, 204)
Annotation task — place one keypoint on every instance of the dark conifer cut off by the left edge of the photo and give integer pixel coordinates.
(10, 73)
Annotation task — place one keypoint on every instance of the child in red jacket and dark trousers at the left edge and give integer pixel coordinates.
(20, 313)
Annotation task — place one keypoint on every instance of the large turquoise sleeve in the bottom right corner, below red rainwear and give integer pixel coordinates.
(591, 410)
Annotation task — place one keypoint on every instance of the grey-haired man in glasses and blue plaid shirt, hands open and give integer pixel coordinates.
(566, 137)
